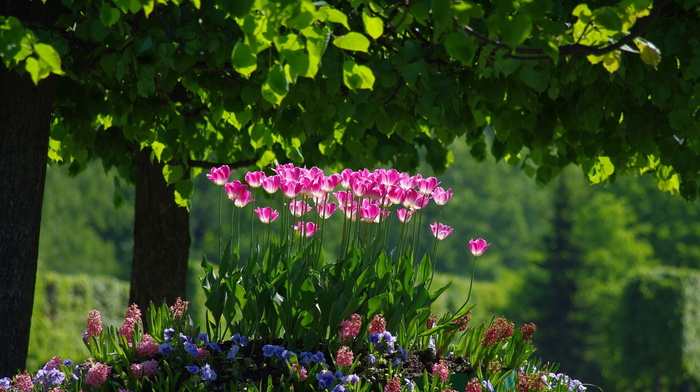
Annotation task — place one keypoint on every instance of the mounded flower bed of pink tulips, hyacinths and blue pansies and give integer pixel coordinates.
(283, 317)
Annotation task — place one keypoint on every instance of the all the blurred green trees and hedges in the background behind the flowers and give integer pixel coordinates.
(602, 271)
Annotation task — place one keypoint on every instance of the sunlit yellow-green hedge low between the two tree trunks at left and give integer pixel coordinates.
(60, 308)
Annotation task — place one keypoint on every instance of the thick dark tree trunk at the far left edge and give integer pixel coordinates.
(25, 120)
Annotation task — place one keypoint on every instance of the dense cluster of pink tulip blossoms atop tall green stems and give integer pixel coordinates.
(360, 195)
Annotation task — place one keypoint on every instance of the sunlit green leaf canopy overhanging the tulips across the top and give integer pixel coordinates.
(610, 88)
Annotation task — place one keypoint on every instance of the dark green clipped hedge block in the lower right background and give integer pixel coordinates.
(665, 301)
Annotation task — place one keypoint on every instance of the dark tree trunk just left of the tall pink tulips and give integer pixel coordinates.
(161, 237)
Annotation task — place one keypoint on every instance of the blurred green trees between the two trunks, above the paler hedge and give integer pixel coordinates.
(95, 240)
